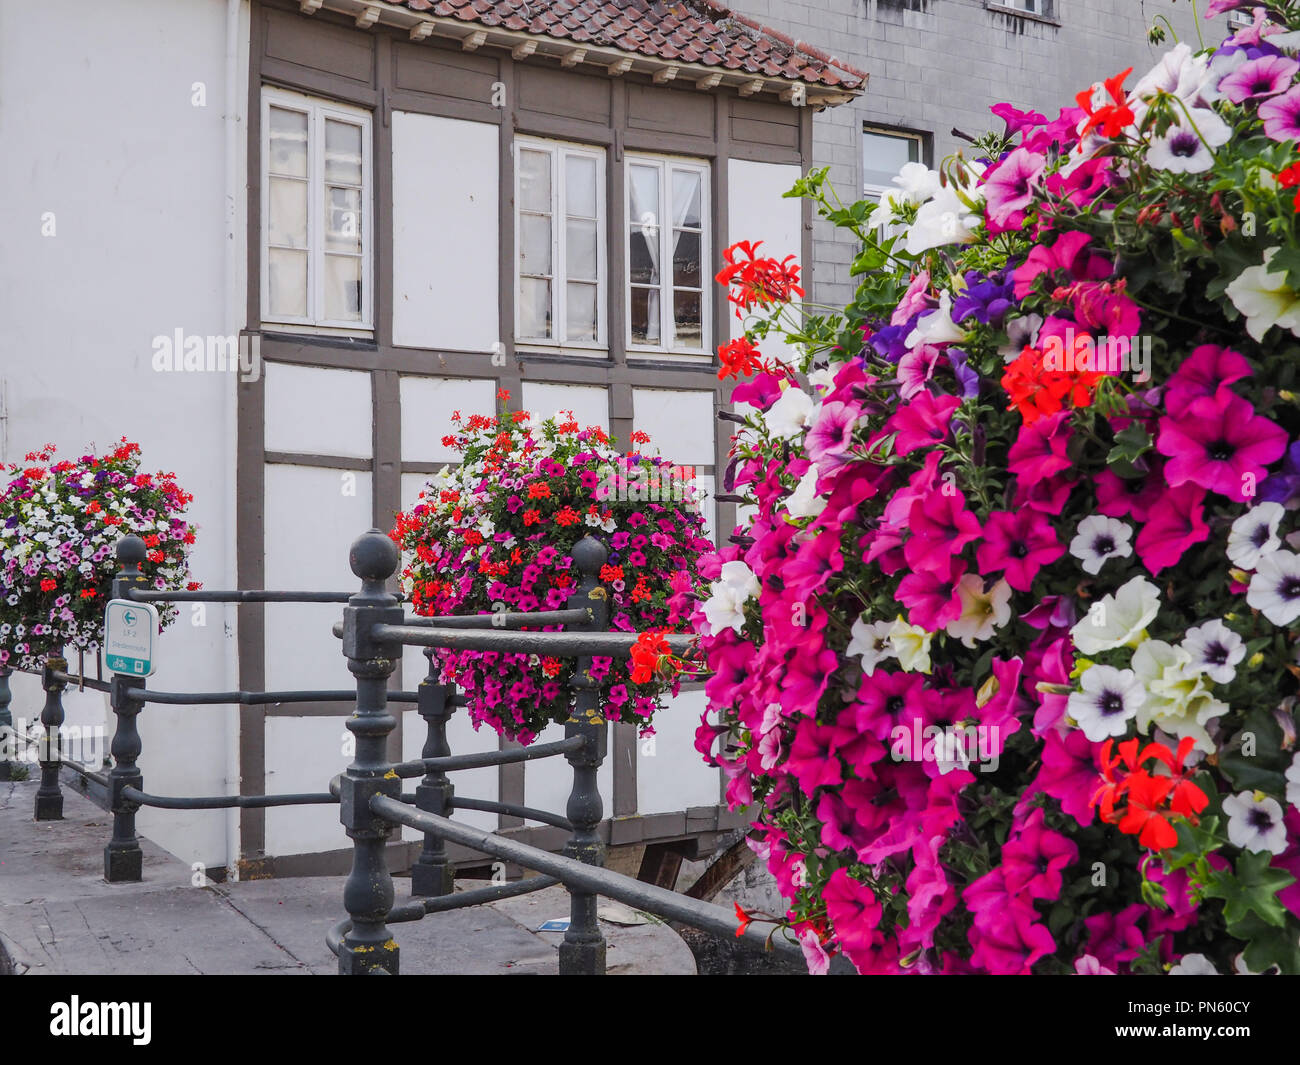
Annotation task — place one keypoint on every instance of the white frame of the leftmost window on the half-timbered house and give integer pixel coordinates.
(318, 111)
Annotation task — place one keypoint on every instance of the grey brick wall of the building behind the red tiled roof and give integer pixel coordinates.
(938, 64)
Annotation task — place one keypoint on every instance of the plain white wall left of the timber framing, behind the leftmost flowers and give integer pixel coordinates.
(102, 138)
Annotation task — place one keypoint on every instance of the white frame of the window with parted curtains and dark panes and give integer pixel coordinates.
(668, 326)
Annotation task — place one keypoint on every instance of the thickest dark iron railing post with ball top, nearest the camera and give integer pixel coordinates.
(369, 947)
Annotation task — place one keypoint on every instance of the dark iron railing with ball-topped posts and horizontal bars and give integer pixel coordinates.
(369, 793)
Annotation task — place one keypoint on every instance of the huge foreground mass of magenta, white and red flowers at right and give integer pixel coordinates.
(1007, 660)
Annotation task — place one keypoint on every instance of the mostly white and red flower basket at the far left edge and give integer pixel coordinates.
(60, 523)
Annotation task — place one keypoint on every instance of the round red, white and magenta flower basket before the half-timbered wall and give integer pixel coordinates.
(496, 534)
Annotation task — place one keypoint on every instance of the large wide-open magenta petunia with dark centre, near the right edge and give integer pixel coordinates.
(1221, 444)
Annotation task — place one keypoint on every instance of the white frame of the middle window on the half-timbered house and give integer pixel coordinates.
(560, 151)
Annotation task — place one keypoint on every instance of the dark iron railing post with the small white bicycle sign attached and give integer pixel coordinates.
(124, 861)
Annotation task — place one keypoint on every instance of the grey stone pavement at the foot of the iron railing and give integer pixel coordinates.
(58, 916)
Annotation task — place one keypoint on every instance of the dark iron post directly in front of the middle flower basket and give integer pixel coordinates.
(583, 950)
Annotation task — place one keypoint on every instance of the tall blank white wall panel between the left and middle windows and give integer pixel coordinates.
(445, 223)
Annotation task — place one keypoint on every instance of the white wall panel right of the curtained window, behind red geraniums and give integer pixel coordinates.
(757, 213)
